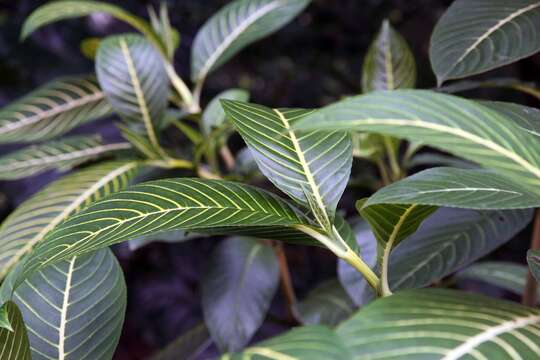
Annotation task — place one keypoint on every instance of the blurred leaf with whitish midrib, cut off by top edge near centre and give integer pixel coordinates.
(234, 27)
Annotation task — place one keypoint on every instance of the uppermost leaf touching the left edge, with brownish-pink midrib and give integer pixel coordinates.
(53, 109)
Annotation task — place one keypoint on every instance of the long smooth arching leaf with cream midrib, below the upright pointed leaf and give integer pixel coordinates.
(462, 127)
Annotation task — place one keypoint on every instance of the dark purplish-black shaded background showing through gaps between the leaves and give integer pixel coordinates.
(314, 60)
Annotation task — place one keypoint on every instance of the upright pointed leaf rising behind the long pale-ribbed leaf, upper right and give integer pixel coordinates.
(389, 63)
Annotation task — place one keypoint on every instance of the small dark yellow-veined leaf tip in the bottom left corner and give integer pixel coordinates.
(14, 342)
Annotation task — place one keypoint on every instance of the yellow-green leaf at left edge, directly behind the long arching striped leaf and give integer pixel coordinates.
(38, 215)
